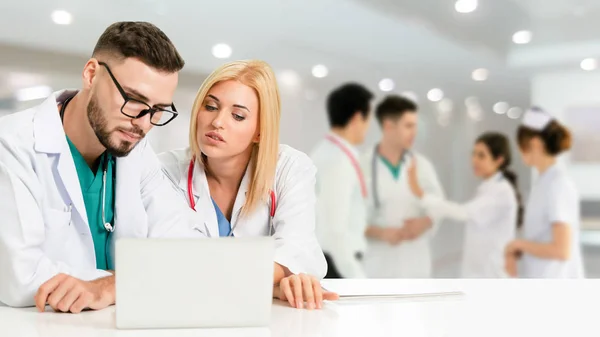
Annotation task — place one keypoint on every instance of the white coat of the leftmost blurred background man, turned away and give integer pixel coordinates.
(341, 208)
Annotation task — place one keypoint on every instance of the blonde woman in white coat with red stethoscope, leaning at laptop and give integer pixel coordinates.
(244, 183)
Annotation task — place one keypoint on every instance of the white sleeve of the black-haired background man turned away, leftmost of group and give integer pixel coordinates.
(335, 198)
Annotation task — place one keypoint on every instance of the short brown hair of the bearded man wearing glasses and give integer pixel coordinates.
(141, 40)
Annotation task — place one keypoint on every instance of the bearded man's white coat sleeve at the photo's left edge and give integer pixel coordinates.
(23, 265)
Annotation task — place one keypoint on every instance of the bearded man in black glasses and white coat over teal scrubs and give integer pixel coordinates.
(76, 174)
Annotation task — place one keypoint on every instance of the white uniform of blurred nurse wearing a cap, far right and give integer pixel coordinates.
(553, 199)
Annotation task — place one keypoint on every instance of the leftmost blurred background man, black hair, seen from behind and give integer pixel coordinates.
(341, 186)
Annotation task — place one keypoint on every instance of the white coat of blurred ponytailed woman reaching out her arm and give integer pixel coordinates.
(491, 221)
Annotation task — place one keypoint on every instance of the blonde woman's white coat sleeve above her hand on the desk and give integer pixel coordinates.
(296, 245)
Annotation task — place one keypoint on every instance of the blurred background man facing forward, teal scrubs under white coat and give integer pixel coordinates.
(399, 230)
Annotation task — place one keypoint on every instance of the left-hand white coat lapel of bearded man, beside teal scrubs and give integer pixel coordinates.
(50, 138)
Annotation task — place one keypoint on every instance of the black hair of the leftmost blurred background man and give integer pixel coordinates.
(345, 101)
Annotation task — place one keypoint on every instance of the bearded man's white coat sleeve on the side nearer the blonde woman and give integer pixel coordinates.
(168, 213)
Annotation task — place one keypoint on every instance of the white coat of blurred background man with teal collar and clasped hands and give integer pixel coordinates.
(409, 259)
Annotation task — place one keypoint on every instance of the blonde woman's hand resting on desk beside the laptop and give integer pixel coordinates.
(297, 289)
